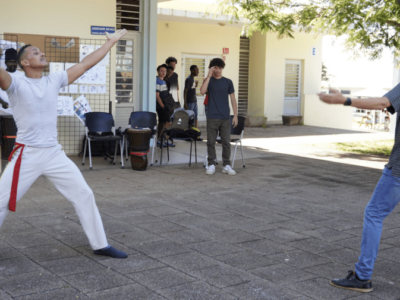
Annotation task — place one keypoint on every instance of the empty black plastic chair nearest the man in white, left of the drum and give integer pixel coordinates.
(101, 122)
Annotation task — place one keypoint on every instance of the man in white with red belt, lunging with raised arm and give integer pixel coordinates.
(33, 99)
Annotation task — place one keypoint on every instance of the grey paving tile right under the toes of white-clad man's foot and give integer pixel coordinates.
(134, 263)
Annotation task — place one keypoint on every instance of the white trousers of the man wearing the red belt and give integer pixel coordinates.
(52, 163)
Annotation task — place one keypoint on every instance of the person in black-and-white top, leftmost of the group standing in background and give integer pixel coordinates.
(162, 92)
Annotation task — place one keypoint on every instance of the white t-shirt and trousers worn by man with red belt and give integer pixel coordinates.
(34, 104)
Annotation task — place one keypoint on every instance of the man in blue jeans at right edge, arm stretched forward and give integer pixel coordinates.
(384, 199)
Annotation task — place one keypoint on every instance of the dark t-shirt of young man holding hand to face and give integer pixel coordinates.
(218, 98)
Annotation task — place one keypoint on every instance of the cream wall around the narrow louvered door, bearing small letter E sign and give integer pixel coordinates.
(277, 51)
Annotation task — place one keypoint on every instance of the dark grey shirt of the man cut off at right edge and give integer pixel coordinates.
(394, 160)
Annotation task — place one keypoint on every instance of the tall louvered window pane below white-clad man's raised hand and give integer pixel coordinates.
(124, 72)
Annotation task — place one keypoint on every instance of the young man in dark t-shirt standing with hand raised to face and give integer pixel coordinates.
(219, 89)
